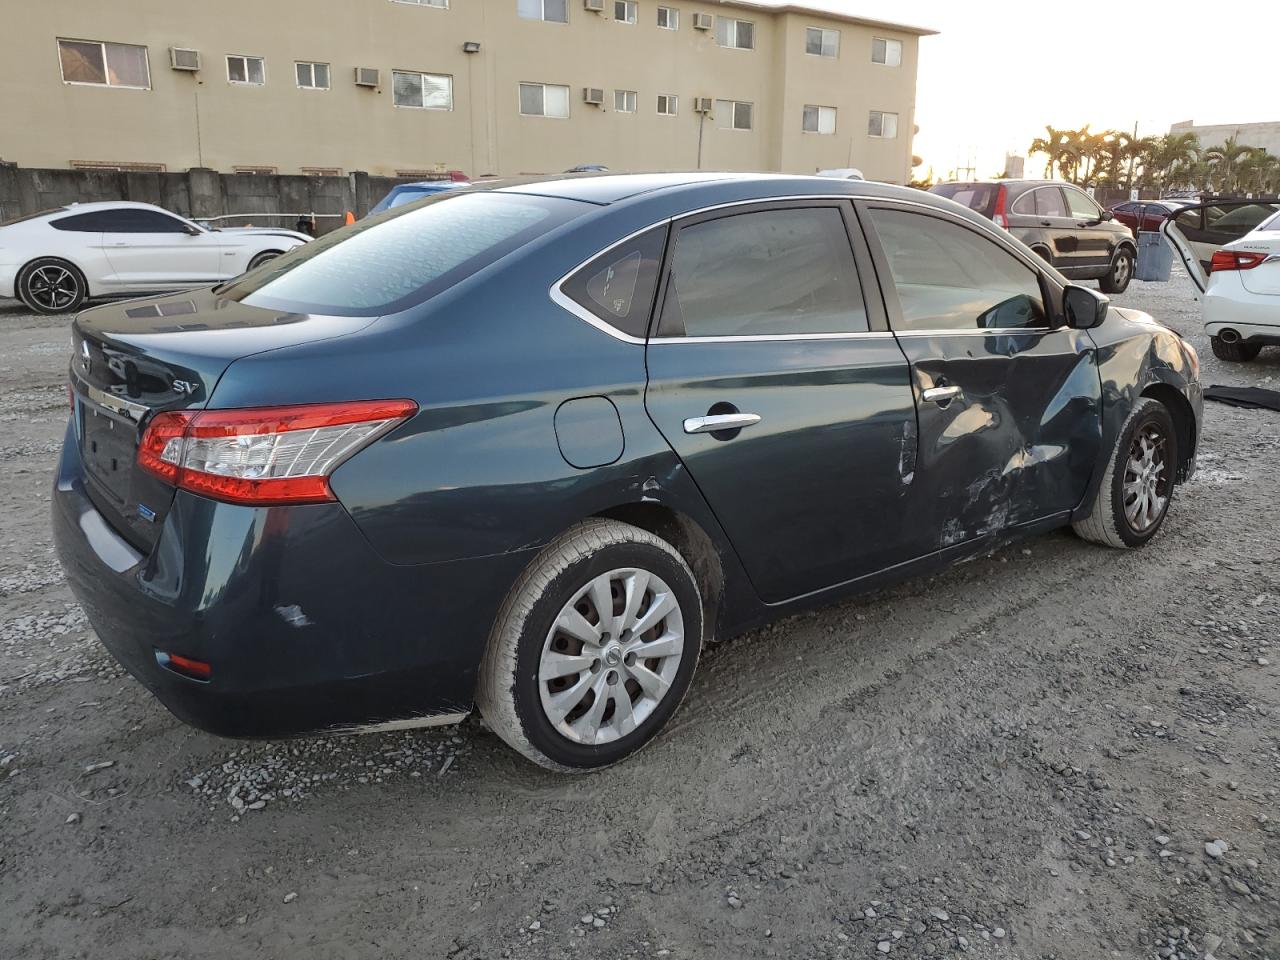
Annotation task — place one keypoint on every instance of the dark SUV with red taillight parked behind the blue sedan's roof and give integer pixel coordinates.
(1058, 221)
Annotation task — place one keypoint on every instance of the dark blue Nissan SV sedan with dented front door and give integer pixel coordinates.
(528, 450)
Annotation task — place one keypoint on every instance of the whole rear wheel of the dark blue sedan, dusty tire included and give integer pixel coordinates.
(538, 714)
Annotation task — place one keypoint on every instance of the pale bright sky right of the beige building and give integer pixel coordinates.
(998, 74)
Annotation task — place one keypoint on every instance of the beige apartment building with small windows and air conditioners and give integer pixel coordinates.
(408, 88)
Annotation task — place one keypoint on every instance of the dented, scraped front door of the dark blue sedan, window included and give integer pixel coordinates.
(1008, 397)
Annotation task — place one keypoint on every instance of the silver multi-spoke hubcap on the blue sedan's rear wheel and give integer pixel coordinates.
(611, 656)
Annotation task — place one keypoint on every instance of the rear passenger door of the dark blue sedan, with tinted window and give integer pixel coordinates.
(775, 381)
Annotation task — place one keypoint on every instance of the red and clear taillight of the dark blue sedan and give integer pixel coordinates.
(264, 456)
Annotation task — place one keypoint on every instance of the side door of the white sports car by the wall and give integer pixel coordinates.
(150, 250)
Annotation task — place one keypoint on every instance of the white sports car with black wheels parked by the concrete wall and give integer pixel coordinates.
(57, 259)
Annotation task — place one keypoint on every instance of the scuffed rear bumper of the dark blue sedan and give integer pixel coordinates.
(305, 627)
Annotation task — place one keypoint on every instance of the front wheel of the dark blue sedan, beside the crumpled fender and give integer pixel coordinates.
(1110, 524)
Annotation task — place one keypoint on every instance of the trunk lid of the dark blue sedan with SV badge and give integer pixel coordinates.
(135, 359)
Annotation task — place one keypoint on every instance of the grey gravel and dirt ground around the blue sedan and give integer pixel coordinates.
(1055, 752)
